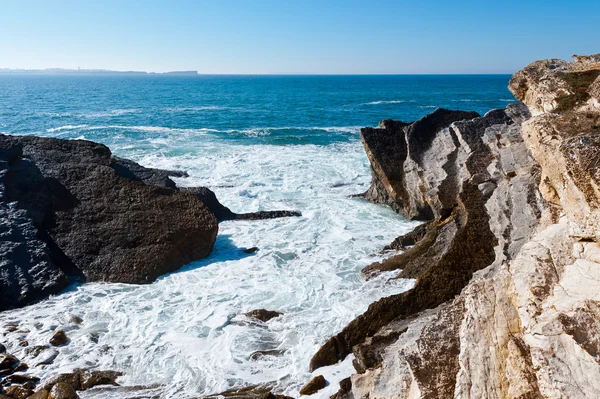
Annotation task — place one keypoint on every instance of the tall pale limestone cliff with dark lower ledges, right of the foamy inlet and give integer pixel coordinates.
(507, 299)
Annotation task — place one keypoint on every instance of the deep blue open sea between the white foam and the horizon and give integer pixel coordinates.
(276, 110)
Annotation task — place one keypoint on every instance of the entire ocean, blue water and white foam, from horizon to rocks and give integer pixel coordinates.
(261, 143)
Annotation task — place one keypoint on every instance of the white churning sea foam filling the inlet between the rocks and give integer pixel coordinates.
(187, 331)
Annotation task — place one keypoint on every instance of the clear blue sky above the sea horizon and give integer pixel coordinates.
(295, 36)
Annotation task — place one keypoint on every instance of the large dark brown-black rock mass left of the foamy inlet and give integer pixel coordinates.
(69, 211)
